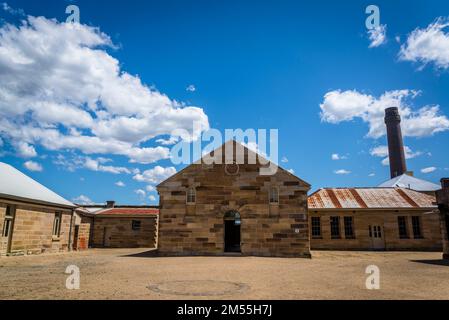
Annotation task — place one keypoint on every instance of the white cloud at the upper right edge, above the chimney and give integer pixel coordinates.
(429, 45)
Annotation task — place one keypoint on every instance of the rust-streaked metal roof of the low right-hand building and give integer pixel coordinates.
(369, 198)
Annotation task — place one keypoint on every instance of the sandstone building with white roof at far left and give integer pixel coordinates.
(33, 218)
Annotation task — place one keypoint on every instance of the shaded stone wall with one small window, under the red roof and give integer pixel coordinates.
(120, 234)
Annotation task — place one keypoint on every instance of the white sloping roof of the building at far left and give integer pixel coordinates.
(14, 183)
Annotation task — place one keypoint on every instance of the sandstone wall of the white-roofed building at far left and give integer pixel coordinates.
(33, 230)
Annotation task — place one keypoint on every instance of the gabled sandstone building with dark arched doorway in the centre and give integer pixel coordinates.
(213, 209)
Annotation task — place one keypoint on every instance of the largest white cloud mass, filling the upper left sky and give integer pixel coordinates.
(76, 97)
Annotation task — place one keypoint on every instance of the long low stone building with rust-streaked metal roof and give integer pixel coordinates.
(374, 219)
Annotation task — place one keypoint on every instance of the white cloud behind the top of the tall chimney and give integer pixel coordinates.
(341, 106)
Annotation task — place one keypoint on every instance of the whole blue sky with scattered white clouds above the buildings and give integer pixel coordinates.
(303, 67)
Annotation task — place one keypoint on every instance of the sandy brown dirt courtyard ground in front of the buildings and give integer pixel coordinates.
(133, 274)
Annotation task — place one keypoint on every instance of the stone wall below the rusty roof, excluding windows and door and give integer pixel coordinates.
(388, 220)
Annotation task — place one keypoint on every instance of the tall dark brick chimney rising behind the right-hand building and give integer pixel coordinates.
(395, 144)
